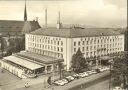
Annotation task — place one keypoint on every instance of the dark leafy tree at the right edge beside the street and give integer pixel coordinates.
(120, 70)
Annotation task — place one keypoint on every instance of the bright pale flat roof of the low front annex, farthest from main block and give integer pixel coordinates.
(22, 62)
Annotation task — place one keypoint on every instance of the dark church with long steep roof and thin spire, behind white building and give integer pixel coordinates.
(12, 33)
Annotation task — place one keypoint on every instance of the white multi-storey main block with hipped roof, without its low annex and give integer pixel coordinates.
(63, 43)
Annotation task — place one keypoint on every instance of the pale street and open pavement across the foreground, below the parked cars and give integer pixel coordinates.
(8, 80)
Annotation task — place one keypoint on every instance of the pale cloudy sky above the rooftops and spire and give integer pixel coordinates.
(100, 13)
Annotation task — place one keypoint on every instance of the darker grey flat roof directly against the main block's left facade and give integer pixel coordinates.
(39, 58)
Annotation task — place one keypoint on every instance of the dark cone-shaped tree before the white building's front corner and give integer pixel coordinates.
(78, 62)
